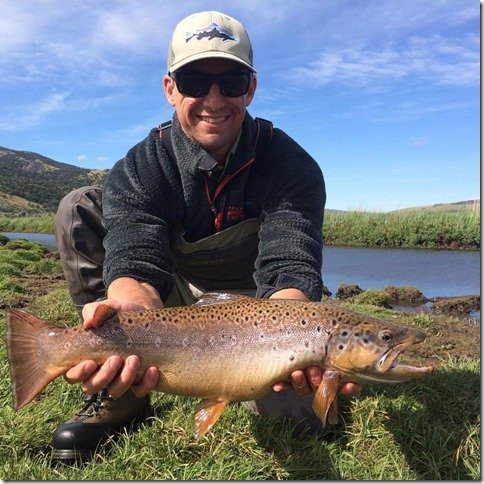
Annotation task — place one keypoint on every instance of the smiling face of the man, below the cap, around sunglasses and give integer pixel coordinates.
(212, 121)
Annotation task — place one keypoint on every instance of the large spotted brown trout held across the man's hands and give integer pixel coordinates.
(224, 349)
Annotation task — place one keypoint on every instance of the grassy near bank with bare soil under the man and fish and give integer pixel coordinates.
(426, 430)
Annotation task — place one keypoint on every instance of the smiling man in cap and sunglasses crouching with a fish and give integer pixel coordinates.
(216, 201)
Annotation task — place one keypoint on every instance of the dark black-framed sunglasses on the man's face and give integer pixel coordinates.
(198, 84)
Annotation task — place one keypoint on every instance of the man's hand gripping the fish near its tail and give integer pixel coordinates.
(115, 374)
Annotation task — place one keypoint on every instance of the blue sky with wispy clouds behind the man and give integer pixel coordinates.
(384, 94)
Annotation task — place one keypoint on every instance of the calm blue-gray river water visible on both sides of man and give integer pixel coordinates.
(434, 272)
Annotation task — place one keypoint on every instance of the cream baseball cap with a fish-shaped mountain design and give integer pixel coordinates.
(207, 35)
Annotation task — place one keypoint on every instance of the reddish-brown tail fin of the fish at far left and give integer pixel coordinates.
(28, 360)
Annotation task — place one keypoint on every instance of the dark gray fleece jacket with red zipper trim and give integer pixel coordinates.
(149, 198)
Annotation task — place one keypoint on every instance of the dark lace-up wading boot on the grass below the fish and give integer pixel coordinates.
(100, 418)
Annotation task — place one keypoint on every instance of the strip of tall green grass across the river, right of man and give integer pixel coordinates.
(416, 229)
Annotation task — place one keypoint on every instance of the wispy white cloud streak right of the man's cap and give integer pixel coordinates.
(438, 60)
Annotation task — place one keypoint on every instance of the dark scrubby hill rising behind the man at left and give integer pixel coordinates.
(31, 183)
